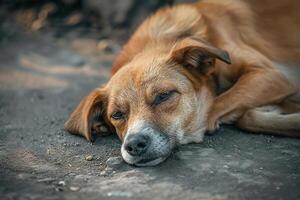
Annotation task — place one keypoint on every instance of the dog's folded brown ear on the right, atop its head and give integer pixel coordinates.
(191, 52)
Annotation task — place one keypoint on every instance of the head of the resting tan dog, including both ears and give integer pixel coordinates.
(160, 98)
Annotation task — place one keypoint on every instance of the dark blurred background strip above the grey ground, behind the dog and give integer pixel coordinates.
(97, 18)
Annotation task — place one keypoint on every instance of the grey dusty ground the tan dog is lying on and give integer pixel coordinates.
(43, 77)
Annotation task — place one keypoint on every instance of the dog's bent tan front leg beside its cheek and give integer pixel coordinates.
(254, 88)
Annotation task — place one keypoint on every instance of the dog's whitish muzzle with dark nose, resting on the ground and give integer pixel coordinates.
(146, 145)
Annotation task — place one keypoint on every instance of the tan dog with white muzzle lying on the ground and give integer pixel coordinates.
(191, 67)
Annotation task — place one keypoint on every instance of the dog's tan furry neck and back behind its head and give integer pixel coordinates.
(271, 27)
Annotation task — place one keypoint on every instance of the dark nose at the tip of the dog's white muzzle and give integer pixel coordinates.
(137, 144)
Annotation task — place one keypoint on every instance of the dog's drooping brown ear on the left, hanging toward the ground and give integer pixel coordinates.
(87, 114)
